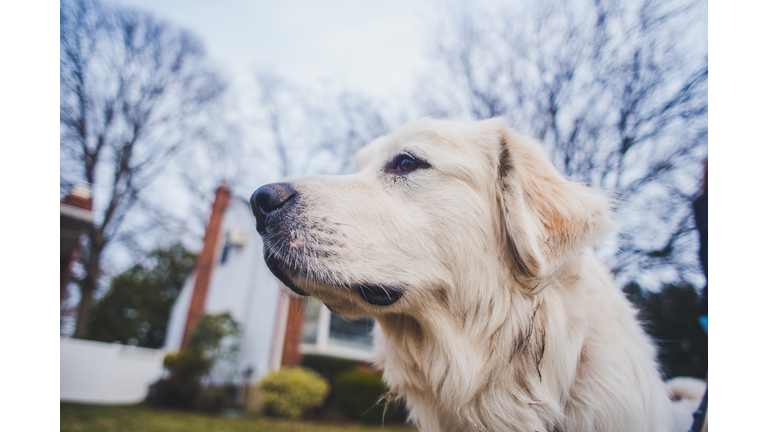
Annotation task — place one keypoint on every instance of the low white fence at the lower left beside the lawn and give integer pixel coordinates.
(107, 373)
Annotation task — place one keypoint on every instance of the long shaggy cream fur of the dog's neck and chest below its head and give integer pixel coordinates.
(493, 374)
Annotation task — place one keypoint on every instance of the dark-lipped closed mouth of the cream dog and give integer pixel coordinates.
(374, 294)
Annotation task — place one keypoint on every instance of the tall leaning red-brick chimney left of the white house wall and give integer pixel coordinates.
(206, 261)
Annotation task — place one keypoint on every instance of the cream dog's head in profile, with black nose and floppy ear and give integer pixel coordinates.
(435, 208)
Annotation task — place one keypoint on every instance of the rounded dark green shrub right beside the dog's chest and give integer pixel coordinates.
(358, 392)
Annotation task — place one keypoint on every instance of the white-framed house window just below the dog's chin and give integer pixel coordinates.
(325, 333)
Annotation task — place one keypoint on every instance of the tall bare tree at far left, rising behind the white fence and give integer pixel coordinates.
(135, 92)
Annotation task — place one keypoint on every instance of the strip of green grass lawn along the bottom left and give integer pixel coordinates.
(99, 418)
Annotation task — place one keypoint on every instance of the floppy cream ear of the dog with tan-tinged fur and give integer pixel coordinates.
(548, 219)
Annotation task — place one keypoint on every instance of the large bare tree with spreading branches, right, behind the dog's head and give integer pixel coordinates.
(617, 92)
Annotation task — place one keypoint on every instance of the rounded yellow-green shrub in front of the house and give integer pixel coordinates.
(289, 392)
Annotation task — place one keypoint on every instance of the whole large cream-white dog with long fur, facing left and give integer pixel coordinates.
(476, 258)
